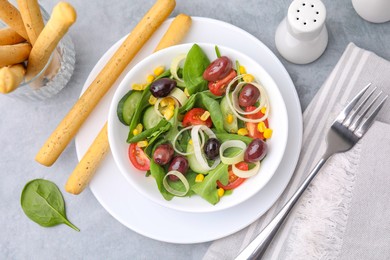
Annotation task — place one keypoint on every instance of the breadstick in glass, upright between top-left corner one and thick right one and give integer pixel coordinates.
(32, 18)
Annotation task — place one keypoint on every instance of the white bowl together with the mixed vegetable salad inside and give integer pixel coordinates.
(205, 124)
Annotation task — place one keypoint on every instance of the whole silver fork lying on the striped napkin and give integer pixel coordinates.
(350, 125)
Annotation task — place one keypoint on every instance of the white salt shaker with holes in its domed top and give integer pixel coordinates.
(302, 37)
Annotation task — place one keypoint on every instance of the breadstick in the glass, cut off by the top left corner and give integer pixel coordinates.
(11, 16)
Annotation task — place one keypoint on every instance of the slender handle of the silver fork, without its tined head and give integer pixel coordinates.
(258, 246)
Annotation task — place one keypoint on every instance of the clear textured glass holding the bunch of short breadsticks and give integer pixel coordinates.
(54, 76)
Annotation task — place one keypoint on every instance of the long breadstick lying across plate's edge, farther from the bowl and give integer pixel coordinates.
(69, 126)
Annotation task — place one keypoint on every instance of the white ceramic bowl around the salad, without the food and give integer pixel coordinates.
(117, 132)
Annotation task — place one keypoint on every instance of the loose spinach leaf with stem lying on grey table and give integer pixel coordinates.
(43, 203)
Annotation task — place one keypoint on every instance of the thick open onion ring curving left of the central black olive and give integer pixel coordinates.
(198, 150)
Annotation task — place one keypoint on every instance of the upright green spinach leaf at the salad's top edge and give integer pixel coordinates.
(194, 66)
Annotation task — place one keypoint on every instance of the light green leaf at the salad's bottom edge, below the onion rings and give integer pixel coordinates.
(207, 189)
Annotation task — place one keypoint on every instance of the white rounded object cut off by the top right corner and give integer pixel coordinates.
(375, 11)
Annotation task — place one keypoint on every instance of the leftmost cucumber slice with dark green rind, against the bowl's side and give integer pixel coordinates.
(127, 105)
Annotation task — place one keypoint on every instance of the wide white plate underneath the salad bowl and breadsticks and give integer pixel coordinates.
(152, 220)
